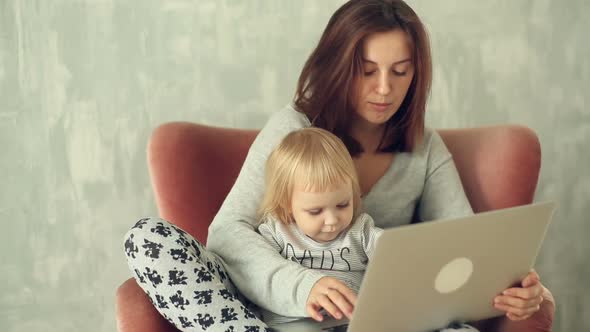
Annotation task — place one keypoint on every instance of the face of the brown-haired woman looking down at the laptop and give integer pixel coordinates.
(386, 76)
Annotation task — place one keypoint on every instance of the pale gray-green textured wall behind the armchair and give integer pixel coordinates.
(83, 82)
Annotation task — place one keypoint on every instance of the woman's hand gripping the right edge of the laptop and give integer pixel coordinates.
(520, 303)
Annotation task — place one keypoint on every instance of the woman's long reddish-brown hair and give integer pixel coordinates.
(328, 77)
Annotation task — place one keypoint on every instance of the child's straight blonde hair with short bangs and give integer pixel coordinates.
(314, 157)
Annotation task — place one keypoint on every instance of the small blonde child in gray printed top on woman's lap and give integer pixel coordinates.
(310, 211)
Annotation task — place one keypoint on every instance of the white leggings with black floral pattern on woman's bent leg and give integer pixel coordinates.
(187, 284)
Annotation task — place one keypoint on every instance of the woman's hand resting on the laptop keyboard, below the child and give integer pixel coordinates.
(332, 295)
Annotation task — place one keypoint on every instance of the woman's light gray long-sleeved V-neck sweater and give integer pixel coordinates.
(423, 185)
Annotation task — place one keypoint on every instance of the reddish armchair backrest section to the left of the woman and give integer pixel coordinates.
(192, 168)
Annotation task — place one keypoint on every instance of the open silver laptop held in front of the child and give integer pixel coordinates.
(425, 276)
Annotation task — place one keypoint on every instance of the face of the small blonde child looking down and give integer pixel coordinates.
(323, 215)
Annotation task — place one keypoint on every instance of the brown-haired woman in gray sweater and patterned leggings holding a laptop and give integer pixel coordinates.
(367, 82)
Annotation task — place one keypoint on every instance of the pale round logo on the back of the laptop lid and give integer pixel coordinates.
(453, 275)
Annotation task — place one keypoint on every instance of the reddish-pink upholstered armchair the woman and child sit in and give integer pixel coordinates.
(499, 167)
